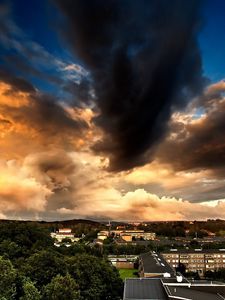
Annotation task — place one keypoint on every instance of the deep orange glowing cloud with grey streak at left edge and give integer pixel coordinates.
(32, 122)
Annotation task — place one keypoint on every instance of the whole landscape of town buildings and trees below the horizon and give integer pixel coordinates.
(168, 260)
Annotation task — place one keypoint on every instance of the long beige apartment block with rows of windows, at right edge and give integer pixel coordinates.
(196, 260)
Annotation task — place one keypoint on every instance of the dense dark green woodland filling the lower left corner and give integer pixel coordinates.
(32, 268)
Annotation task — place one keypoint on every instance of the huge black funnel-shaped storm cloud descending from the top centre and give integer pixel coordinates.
(145, 63)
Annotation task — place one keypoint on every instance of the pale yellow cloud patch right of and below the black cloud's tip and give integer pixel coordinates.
(198, 185)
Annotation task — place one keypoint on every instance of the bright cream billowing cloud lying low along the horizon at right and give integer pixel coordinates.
(141, 205)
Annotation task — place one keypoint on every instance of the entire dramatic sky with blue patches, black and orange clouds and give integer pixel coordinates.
(112, 110)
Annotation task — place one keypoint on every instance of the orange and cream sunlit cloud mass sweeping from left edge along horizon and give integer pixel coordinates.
(48, 168)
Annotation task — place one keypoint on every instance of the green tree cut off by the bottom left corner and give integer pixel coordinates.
(7, 279)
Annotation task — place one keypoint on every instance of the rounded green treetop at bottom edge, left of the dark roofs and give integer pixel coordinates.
(62, 288)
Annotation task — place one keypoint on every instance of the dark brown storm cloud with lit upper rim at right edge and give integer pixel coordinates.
(199, 144)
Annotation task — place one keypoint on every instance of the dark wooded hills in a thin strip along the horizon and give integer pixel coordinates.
(167, 228)
